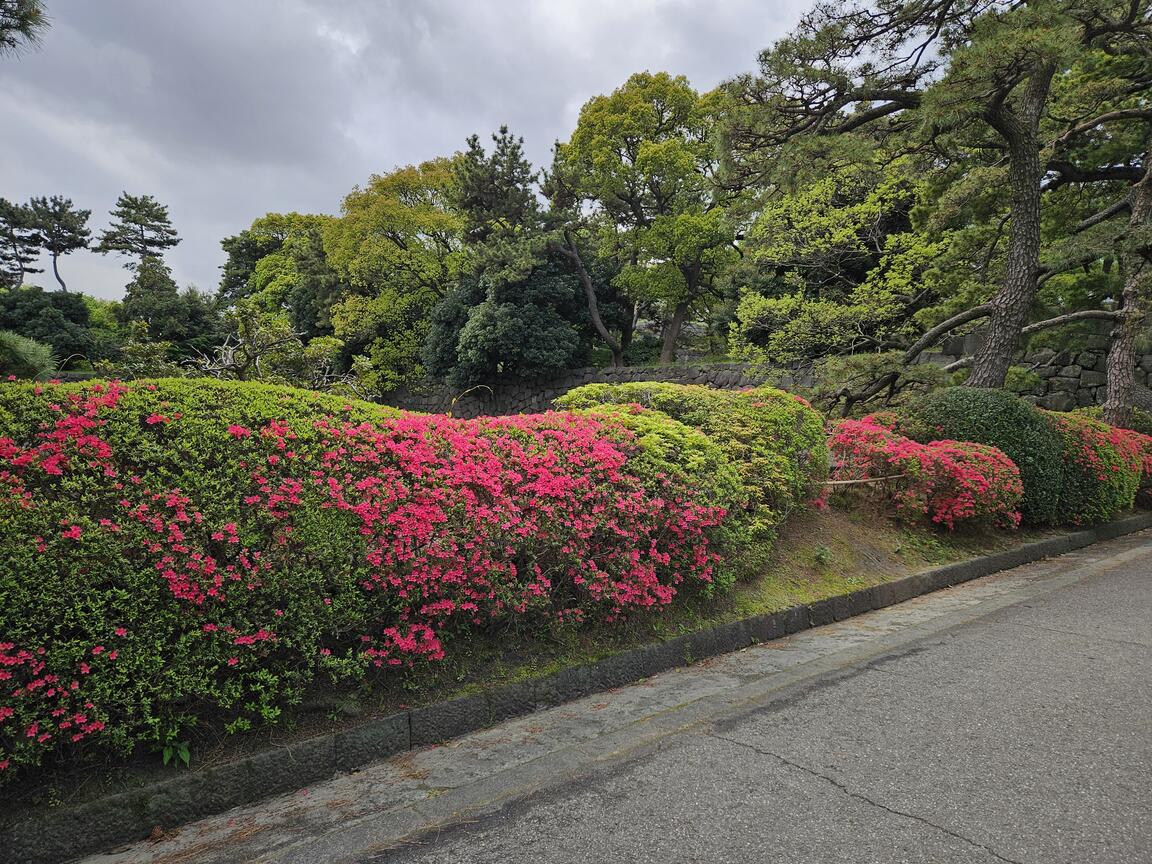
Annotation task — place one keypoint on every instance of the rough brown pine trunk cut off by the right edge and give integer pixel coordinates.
(1123, 391)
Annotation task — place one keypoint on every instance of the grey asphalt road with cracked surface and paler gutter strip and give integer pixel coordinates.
(1004, 721)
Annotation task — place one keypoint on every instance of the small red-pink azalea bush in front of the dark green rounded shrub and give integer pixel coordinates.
(950, 483)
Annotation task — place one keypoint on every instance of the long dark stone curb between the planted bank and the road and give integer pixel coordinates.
(130, 816)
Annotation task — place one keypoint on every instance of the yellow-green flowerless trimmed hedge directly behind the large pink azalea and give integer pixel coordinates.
(776, 441)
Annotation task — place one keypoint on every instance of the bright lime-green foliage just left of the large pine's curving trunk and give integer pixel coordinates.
(833, 267)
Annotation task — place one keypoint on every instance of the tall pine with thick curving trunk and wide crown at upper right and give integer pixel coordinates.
(981, 69)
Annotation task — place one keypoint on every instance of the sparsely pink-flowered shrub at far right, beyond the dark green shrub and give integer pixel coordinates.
(1102, 468)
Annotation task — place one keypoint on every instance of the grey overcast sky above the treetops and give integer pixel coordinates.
(225, 110)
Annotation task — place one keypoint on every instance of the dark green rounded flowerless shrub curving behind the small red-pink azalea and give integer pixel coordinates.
(999, 420)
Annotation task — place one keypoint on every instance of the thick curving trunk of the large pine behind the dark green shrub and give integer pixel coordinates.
(1020, 130)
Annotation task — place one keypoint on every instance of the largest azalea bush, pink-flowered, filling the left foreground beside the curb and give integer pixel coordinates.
(185, 552)
